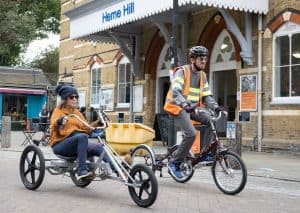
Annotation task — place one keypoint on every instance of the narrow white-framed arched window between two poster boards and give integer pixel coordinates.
(124, 72)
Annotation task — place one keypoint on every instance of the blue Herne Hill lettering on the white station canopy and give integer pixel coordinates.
(126, 9)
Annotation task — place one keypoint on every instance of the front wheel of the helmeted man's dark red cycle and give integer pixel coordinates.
(229, 173)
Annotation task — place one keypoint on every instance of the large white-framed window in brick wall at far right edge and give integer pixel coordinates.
(287, 65)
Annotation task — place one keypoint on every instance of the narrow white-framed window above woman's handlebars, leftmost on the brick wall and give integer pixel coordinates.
(96, 85)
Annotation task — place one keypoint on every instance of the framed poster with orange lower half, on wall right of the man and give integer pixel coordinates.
(248, 93)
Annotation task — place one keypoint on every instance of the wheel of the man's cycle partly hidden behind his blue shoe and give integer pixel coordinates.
(186, 168)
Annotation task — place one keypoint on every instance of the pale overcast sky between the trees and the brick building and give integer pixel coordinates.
(37, 46)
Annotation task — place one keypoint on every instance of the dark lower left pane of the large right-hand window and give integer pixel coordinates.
(282, 83)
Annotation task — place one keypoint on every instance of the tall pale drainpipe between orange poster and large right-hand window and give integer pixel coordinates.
(259, 85)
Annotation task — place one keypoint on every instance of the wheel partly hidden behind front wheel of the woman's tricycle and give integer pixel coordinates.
(142, 155)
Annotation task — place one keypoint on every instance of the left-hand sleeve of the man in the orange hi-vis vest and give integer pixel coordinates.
(177, 87)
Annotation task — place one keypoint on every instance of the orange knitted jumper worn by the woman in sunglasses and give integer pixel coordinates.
(58, 134)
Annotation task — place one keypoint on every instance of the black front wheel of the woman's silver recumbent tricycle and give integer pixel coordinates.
(145, 193)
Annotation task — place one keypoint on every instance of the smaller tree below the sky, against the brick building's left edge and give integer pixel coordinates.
(48, 62)
